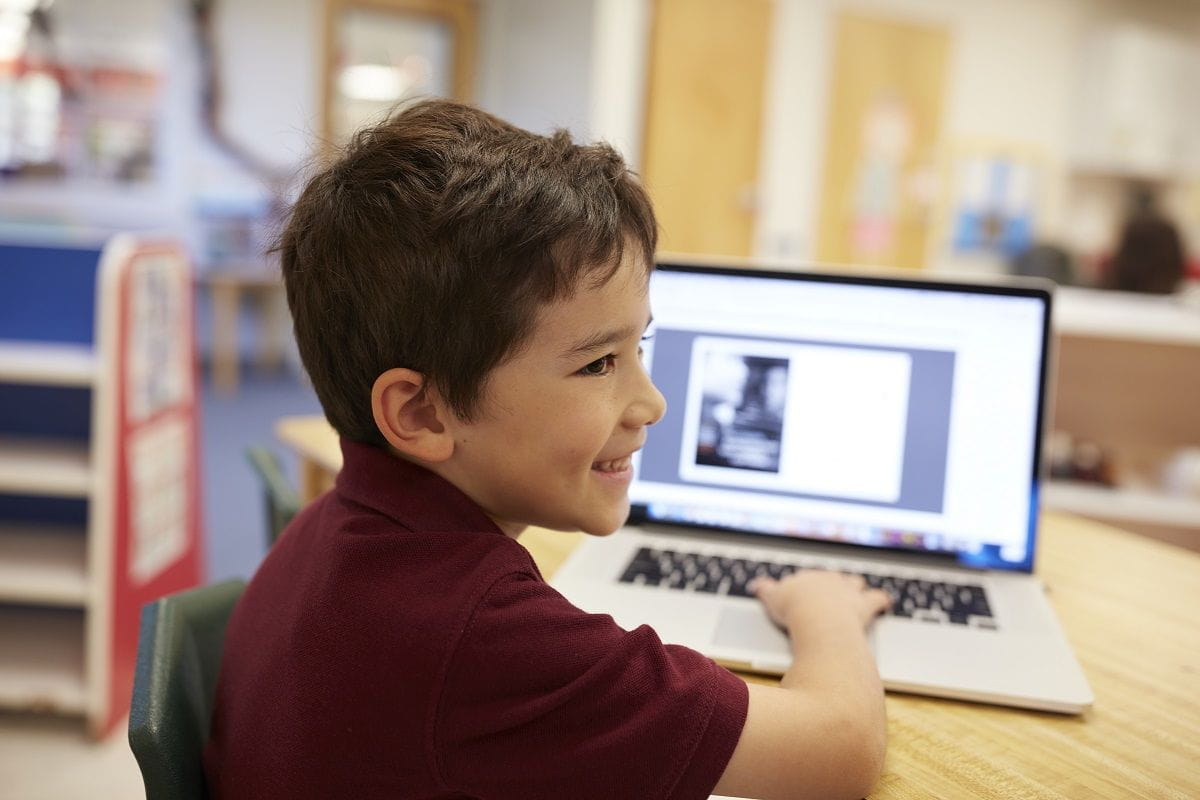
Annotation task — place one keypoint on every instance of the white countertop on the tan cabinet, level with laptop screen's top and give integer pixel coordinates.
(1172, 320)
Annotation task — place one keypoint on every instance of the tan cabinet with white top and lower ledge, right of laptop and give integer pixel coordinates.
(1129, 377)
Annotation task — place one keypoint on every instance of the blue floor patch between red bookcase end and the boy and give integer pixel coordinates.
(235, 518)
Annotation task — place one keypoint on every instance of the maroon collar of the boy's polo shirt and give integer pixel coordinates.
(410, 495)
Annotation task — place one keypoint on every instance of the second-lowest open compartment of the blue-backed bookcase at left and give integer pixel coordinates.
(44, 564)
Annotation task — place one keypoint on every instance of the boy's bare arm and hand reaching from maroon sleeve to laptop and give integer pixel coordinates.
(823, 732)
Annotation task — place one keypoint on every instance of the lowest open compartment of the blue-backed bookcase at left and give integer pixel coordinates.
(41, 660)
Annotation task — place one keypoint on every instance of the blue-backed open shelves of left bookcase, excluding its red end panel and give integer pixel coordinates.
(47, 302)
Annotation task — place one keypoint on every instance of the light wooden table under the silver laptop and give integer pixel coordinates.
(1130, 607)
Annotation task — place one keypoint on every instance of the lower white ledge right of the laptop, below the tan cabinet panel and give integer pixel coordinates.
(1123, 504)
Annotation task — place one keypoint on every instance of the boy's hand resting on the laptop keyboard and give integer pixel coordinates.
(815, 598)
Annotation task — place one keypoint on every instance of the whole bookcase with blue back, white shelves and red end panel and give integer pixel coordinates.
(99, 483)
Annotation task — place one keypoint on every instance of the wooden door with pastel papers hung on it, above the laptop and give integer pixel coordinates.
(881, 133)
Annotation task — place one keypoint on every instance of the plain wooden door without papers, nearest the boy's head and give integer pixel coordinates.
(709, 61)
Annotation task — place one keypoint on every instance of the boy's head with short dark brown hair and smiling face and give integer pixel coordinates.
(447, 244)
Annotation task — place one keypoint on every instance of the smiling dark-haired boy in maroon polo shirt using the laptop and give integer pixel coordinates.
(470, 302)
